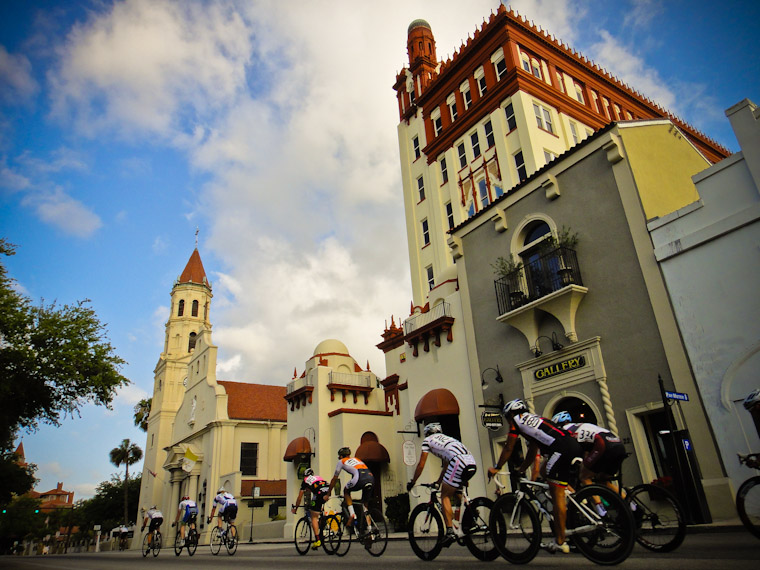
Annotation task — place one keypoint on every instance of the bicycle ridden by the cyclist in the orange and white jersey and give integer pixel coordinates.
(338, 537)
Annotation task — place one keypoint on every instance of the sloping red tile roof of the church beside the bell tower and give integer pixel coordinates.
(255, 401)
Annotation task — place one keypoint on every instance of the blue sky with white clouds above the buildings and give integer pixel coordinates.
(270, 126)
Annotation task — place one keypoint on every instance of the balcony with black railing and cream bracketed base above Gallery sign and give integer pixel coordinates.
(551, 283)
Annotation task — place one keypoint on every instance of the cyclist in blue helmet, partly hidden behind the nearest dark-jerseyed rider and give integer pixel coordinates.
(603, 451)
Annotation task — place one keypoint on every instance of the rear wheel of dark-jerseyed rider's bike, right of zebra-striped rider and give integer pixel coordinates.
(606, 539)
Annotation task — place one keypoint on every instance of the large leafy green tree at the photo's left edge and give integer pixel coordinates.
(53, 360)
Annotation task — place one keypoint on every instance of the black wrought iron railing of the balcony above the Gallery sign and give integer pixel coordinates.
(552, 271)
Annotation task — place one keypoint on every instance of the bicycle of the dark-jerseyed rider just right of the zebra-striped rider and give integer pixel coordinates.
(605, 535)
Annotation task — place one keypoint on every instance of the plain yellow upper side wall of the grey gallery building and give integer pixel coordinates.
(663, 162)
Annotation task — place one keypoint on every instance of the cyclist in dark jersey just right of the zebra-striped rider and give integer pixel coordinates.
(559, 446)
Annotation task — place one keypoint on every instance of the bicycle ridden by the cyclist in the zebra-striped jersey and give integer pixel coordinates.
(426, 526)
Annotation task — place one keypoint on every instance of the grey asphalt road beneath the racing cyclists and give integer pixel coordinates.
(734, 550)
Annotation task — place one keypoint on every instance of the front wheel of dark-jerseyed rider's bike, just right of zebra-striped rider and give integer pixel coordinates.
(515, 529)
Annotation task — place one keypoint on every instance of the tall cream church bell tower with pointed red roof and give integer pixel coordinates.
(188, 317)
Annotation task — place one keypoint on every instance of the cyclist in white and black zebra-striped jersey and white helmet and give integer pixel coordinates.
(458, 468)
